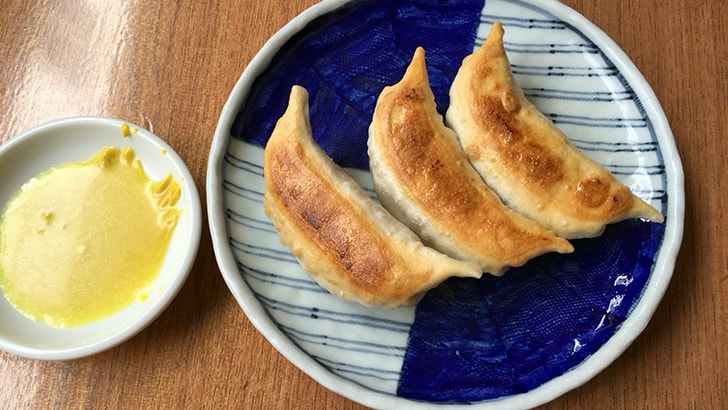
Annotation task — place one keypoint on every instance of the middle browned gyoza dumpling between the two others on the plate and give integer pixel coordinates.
(422, 176)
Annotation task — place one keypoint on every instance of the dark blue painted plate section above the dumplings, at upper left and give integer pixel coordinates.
(345, 59)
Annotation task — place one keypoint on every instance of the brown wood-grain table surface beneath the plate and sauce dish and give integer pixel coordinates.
(171, 67)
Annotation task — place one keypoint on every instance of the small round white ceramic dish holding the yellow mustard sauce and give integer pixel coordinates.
(77, 139)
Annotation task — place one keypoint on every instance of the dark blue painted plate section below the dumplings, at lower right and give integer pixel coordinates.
(483, 339)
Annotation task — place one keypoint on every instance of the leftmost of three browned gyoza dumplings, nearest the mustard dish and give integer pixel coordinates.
(343, 239)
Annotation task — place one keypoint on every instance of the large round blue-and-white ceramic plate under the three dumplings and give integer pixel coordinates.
(515, 341)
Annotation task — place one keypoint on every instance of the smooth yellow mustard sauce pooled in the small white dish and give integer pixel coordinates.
(84, 240)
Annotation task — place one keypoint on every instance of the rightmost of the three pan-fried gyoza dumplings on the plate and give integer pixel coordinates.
(525, 159)
